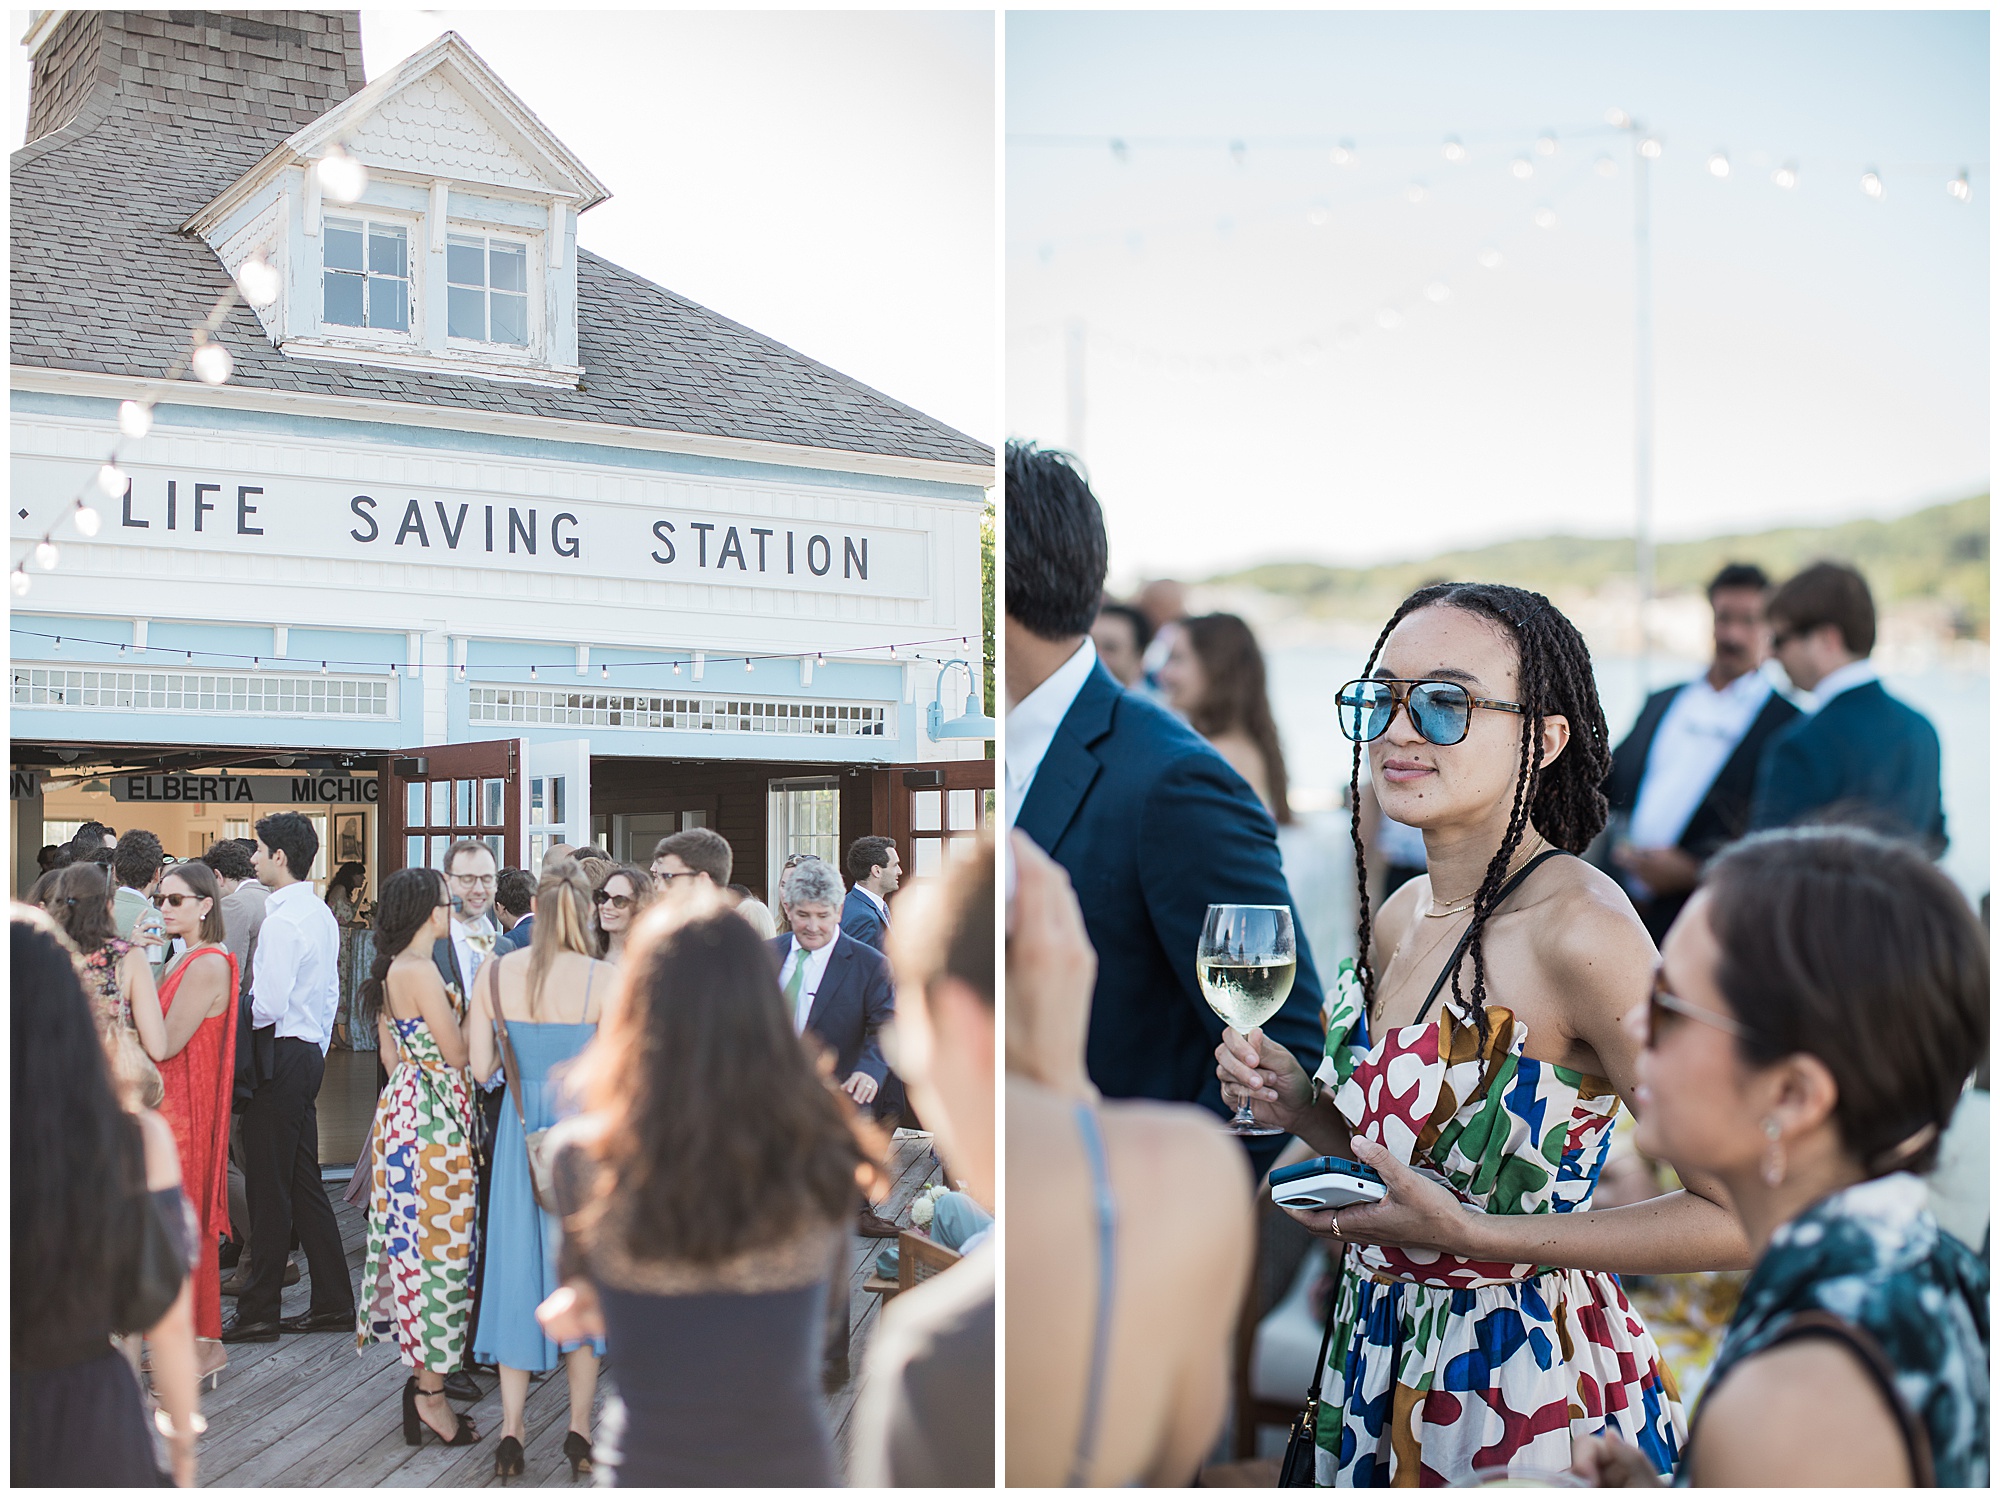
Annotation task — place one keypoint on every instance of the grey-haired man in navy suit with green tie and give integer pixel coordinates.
(837, 989)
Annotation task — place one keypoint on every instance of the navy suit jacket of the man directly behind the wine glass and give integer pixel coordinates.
(1153, 829)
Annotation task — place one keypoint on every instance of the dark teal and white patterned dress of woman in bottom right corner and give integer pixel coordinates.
(1875, 1261)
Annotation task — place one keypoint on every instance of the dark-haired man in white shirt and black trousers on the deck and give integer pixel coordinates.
(295, 995)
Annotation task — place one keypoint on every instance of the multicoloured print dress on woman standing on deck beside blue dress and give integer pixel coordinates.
(421, 1207)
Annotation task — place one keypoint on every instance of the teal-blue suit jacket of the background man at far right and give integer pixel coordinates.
(1863, 759)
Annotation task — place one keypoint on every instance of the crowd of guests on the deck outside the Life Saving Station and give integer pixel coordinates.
(729, 1135)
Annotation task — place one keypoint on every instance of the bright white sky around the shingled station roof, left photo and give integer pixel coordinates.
(825, 179)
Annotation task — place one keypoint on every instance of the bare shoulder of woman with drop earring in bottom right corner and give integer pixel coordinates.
(1805, 1413)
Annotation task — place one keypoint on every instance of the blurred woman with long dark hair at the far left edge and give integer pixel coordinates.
(85, 1179)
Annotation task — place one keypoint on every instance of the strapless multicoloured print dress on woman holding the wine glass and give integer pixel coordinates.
(1443, 1365)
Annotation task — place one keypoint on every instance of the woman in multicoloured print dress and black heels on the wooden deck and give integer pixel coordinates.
(415, 1283)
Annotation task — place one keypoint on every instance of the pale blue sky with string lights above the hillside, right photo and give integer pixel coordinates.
(1819, 353)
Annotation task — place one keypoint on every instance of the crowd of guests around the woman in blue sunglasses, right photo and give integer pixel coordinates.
(1795, 1057)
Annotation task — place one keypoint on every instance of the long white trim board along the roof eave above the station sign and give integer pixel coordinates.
(459, 419)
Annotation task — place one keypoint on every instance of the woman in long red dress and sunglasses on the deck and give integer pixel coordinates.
(193, 1039)
